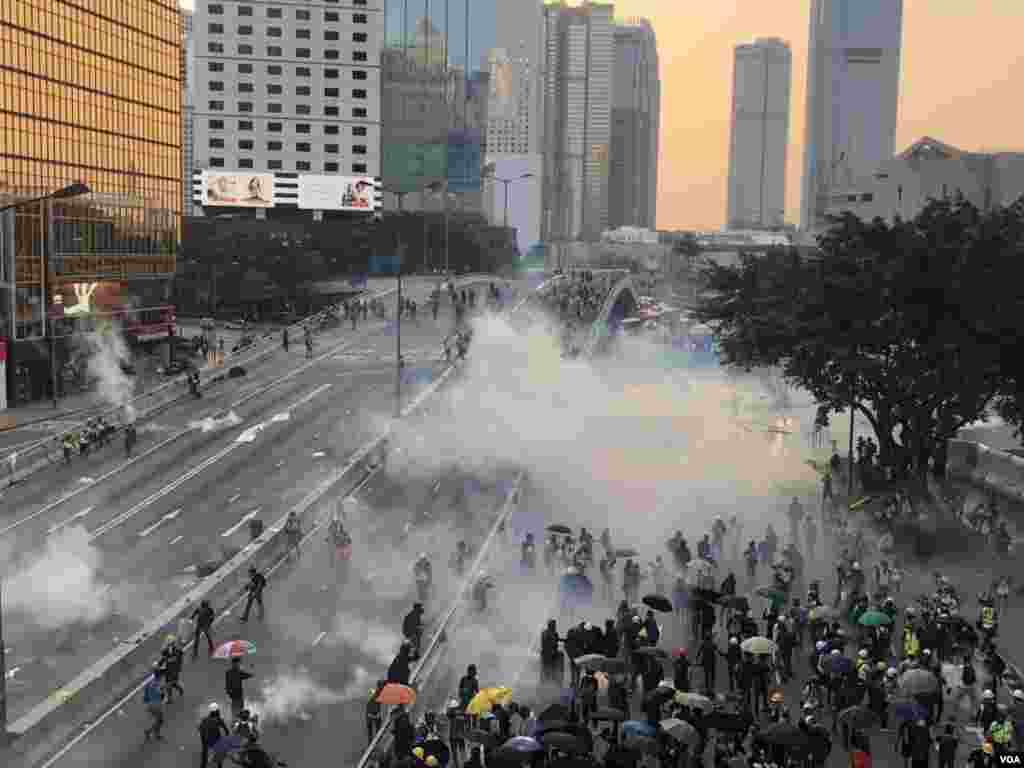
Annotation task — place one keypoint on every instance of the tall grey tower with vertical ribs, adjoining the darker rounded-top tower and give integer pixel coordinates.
(579, 52)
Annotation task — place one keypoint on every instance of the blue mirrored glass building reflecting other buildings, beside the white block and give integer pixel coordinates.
(435, 96)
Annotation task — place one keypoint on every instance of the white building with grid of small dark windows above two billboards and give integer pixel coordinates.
(287, 103)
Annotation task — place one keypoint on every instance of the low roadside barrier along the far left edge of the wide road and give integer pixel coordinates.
(49, 451)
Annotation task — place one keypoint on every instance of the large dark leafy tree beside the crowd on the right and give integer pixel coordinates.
(918, 325)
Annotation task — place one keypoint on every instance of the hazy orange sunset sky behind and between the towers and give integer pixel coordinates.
(962, 82)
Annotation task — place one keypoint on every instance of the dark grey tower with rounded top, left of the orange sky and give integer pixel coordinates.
(636, 111)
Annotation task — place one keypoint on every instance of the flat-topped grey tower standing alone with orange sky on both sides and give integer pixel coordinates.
(760, 135)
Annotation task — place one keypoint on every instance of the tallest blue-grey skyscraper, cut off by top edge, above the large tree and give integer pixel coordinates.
(852, 94)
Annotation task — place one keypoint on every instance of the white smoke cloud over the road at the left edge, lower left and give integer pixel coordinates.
(60, 586)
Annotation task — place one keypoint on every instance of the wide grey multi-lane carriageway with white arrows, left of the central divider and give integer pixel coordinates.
(154, 521)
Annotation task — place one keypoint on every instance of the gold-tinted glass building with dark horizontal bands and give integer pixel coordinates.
(91, 93)
